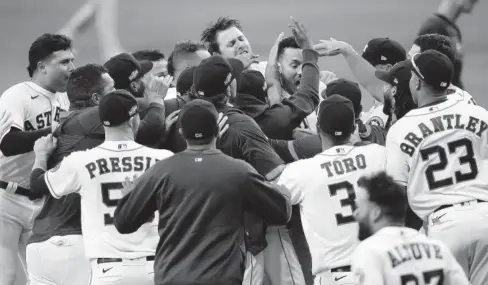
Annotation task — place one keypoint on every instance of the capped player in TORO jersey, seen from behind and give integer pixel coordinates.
(324, 187)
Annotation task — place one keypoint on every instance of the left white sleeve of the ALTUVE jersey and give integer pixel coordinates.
(367, 267)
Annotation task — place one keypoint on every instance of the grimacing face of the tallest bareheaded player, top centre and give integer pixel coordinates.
(232, 42)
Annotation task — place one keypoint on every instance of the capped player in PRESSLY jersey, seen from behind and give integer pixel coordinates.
(98, 175)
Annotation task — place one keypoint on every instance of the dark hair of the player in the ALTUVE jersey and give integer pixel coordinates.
(387, 194)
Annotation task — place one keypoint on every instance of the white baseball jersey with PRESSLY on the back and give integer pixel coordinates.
(97, 175)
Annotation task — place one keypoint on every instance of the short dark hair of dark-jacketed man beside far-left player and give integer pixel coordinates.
(84, 81)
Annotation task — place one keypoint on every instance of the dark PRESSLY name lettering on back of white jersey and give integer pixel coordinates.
(103, 166)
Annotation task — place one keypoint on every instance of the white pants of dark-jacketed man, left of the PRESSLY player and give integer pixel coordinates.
(57, 261)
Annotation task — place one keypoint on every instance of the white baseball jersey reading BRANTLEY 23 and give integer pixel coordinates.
(440, 153)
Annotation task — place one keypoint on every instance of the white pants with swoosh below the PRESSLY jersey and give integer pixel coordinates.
(138, 271)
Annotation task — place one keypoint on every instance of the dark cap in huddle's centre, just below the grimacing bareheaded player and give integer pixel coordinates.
(214, 74)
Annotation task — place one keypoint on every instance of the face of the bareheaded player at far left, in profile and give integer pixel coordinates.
(58, 68)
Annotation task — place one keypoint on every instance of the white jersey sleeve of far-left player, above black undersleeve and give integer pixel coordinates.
(12, 104)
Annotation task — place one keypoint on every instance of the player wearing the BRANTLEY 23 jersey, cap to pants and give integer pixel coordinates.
(438, 152)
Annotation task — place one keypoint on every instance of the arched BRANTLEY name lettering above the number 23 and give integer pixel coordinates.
(439, 124)
